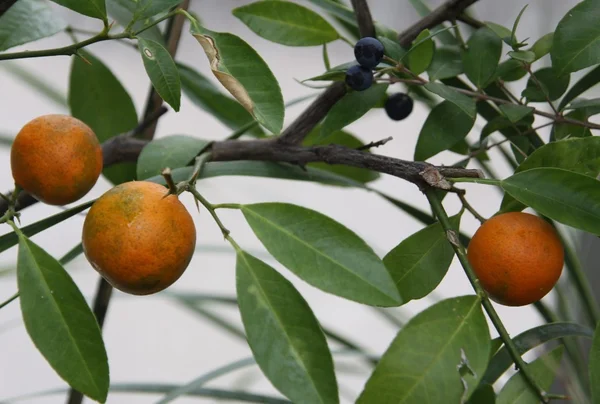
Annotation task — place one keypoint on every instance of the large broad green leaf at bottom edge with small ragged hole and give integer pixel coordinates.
(423, 362)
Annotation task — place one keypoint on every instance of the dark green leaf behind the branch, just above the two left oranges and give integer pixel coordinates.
(98, 98)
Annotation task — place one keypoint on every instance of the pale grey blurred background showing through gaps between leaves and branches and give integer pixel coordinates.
(159, 340)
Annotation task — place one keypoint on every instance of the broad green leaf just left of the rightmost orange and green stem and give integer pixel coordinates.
(419, 263)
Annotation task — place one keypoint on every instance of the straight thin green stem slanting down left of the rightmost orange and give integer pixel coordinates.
(440, 212)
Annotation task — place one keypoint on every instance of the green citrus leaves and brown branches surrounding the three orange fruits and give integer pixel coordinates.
(462, 73)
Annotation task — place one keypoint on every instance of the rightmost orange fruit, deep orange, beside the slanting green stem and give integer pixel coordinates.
(518, 258)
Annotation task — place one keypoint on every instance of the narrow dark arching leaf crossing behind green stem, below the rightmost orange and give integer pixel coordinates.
(530, 339)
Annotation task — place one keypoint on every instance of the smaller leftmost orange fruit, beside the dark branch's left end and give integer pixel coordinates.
(56, 158)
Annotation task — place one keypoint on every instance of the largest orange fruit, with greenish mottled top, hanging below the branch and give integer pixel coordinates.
(138, 239)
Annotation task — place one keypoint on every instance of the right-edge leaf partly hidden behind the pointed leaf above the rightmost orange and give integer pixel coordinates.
(578, 155)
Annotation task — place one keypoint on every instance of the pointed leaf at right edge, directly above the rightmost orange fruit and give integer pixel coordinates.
(567, 197)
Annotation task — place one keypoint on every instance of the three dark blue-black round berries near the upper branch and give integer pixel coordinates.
(369, 52)
